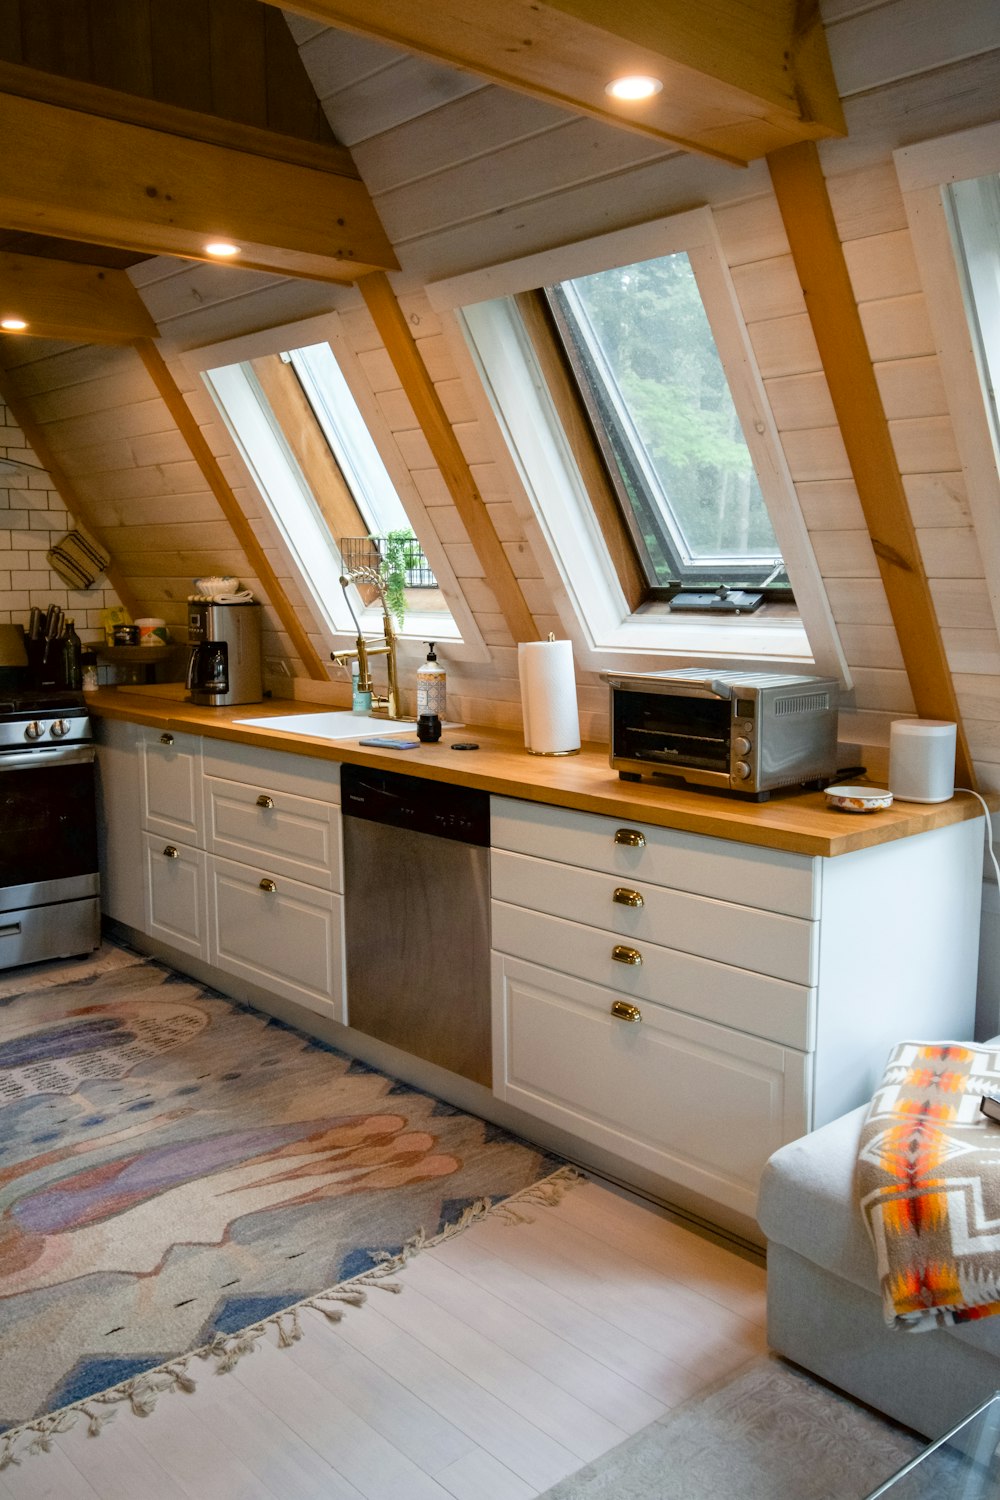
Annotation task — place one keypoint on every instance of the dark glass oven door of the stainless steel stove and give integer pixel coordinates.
(49, 851)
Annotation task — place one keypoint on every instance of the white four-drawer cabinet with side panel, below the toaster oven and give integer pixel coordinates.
(690, 1003)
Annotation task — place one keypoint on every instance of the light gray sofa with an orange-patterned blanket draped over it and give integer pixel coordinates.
(824, 1307)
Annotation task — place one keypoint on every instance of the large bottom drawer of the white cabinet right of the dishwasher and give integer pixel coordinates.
(695, 1103)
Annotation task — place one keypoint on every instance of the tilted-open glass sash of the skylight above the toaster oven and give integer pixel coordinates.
(651, 380)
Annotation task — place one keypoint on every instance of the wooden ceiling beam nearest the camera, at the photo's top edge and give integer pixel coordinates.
(740, 77)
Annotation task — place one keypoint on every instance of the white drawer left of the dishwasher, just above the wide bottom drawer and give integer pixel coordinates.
(289, 835)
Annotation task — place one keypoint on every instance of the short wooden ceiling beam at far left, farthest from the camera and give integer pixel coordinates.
(68, 301)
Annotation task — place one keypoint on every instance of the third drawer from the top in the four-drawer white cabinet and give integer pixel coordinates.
(717, 992)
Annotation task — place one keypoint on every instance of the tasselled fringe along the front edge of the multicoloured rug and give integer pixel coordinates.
(142, 1393)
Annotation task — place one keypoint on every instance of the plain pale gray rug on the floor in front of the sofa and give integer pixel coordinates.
(768, 1433)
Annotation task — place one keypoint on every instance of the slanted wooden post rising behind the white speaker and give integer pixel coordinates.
(830, 299)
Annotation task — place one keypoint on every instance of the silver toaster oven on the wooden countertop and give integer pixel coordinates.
(746, 733)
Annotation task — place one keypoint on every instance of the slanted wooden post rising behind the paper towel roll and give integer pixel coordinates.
(449, 457)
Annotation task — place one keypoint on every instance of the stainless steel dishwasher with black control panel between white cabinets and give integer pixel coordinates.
(418, 899)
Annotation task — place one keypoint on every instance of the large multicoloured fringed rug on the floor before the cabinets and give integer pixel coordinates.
(178, 1174)
